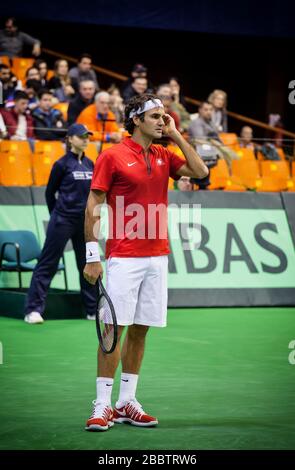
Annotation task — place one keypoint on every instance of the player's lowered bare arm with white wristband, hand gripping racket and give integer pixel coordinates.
(93, 269)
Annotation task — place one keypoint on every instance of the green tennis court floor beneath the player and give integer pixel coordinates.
(215, 378)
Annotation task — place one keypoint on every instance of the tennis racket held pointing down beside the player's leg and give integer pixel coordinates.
(106, 321)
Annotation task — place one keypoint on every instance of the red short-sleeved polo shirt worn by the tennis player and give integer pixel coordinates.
(137, 195)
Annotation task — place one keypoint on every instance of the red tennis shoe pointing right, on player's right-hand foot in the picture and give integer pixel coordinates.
(133, 413)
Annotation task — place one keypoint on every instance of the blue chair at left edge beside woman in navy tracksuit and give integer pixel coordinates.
(18, 248)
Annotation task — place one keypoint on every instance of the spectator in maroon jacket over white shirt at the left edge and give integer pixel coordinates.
(18, 121)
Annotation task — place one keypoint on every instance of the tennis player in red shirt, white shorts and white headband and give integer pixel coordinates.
(133, 177)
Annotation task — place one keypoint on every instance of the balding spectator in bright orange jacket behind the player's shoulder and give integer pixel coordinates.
(100, 120)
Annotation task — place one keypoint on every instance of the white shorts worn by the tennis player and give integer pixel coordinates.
(138, 289)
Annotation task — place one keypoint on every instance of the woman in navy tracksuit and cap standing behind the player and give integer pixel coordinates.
(70, 177)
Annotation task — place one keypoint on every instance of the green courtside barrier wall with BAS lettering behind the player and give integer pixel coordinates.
(227, 249)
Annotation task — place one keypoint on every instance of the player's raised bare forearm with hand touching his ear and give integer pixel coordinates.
(194, 166)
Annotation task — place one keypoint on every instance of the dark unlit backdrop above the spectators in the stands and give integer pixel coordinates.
(247, 51)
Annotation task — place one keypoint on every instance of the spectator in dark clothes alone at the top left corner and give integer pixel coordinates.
(12, 41)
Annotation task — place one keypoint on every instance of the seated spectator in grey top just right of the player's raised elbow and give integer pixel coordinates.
(202, 130)
